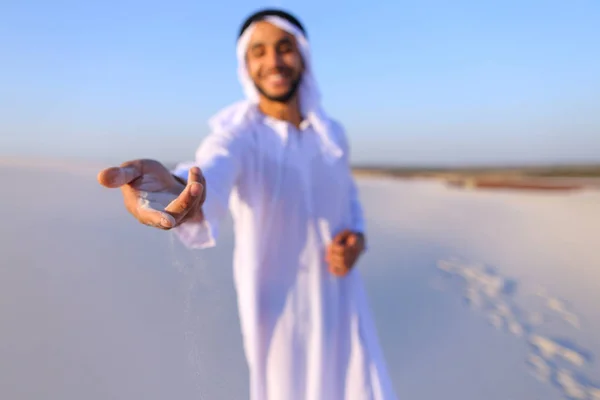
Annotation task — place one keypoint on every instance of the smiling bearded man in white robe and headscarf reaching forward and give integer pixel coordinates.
(280, 165)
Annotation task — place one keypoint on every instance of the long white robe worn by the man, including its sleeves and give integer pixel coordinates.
(308, 335)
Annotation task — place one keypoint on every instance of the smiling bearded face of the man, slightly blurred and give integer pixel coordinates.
(274, 62)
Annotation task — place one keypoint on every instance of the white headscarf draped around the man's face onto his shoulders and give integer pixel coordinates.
(308, 92)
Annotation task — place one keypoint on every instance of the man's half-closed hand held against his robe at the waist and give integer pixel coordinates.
(344, 251)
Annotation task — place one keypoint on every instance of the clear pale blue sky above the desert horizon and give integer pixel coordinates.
(414, 82)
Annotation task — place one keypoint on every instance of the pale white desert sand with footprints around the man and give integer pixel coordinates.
(476, 295)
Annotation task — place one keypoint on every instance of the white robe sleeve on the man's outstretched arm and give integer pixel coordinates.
(219, 159)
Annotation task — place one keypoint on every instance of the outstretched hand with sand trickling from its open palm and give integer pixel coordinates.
(154, 196)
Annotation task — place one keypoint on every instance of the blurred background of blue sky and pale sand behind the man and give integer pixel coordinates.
(475, 133)
